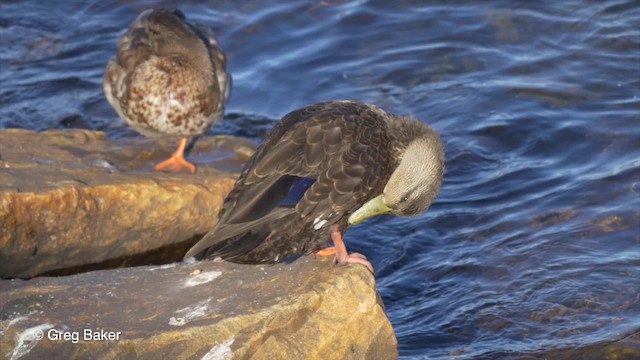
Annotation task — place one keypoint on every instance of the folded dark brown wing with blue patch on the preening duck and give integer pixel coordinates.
(335, 151)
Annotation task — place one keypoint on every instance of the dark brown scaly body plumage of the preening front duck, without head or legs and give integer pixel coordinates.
(347, 146)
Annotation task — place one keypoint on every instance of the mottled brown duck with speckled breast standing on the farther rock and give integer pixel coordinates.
(169, 79)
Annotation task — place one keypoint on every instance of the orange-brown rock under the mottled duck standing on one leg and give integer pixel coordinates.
(72, 200)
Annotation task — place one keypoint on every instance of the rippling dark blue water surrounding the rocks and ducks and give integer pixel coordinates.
(533, 247)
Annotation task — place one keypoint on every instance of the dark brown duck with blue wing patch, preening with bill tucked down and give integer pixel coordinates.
(322, 169)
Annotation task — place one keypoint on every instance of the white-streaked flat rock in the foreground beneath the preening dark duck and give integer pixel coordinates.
(309, 309)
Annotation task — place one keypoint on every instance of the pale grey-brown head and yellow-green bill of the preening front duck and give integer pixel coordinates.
(413, 185)
